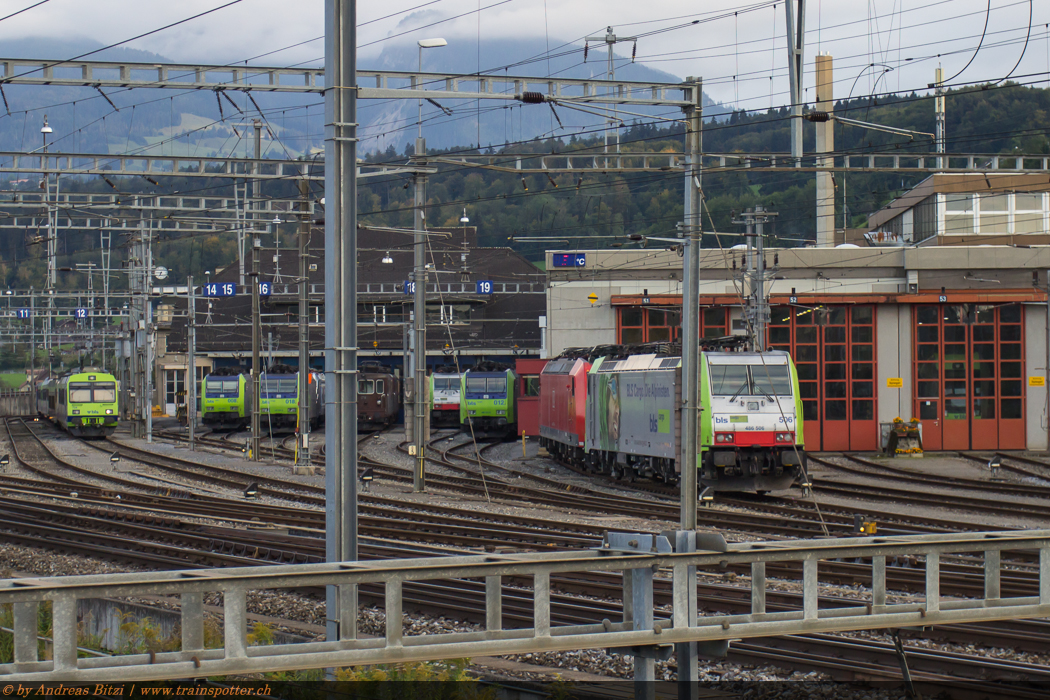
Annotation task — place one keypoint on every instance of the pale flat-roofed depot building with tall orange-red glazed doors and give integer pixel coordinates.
(953, 335)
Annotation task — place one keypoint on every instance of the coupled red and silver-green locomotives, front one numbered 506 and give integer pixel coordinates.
(618, 411)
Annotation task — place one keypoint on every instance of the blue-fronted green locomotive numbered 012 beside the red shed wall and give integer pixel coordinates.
(489, 397)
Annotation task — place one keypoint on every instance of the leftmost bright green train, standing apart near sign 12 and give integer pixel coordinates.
(85, 404)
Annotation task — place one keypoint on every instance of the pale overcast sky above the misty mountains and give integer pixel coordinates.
(737, 47)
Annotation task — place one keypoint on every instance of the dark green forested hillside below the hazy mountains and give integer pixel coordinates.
(601, 210)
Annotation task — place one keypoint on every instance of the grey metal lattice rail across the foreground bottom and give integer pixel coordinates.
(640, 555)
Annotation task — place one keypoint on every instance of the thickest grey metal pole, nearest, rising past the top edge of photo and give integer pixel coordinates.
(341, 307)
